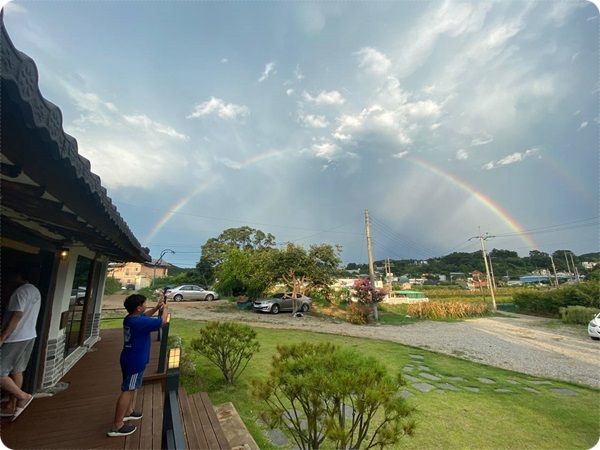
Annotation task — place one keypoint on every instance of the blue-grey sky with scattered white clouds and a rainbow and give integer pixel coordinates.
(444, 119)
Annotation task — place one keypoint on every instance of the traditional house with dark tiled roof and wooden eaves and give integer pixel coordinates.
(58, 224)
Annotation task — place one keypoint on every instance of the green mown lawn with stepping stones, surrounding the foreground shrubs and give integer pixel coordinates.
(520, 418)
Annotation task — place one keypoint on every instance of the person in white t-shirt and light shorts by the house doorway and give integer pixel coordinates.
(16, 343)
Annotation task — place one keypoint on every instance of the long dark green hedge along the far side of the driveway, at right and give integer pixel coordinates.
(549, 302)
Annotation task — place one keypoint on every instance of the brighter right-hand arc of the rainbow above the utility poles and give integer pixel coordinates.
(482, 198)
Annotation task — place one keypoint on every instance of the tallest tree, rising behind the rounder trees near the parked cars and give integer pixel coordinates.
(243, 238)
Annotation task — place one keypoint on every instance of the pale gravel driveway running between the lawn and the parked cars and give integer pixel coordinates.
(516, 342)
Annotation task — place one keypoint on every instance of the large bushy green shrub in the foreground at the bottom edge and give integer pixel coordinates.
(320, 392)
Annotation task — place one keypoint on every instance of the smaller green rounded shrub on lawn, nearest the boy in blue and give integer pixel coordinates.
(229, 346)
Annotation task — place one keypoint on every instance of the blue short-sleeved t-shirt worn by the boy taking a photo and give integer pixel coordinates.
(136, 348)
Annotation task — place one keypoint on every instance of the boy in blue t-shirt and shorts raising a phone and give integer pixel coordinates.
(137, 327)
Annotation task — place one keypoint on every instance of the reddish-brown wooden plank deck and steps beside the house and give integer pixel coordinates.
(80, 416)
